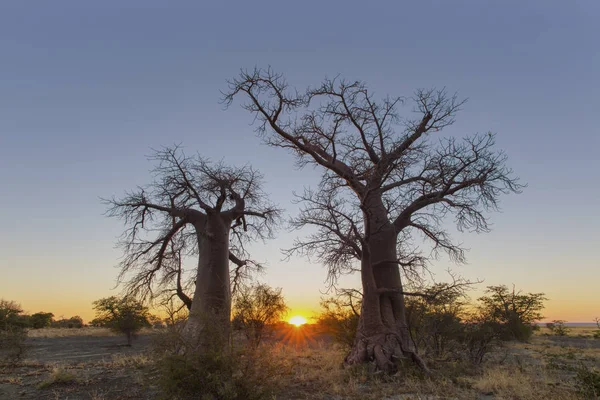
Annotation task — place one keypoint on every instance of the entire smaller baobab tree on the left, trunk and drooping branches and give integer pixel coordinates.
(199, 209)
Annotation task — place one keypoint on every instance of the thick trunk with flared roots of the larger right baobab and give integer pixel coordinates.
(382, 336)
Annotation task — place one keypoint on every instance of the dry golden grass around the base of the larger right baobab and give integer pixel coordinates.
(317, 373)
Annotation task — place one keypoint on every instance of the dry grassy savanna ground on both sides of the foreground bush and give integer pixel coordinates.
(92, 363)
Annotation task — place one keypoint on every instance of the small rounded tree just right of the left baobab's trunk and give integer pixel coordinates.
(257, 307)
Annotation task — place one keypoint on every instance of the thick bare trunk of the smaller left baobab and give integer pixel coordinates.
(208, 324)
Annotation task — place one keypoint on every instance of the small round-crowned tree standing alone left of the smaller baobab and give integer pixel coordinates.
(125, 315)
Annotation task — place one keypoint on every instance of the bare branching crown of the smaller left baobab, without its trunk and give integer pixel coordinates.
(165, 219)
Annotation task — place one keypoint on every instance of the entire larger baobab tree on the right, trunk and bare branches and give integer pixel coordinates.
(386, 179)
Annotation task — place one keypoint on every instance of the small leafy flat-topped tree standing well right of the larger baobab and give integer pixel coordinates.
(515, 313)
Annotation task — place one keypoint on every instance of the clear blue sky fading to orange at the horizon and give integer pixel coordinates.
(87, 88)
